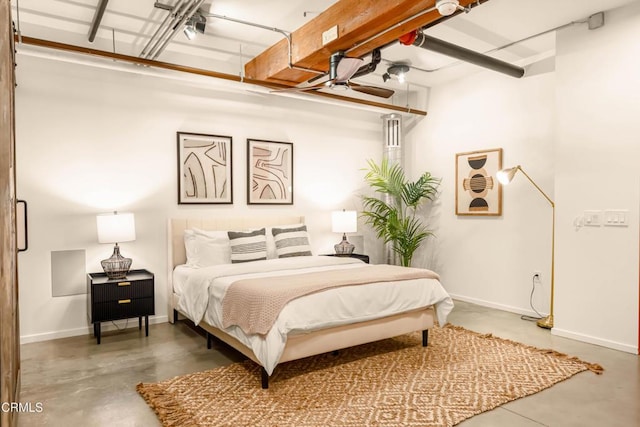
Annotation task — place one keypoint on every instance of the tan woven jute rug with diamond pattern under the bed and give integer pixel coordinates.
(395, 382)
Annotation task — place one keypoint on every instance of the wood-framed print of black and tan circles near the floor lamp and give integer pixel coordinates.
(478, 192)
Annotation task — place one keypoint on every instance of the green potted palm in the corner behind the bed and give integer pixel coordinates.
(393, 216)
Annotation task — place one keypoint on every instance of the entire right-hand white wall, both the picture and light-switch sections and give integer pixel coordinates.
(575, 131)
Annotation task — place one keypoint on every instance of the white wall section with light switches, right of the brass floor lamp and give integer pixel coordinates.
(598, 167)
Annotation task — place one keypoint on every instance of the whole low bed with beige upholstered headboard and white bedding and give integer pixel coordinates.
(310, 324)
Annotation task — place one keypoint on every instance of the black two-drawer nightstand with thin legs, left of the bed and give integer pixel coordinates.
(114, 299)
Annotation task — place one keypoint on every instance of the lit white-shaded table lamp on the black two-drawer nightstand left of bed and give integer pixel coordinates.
(116, 228)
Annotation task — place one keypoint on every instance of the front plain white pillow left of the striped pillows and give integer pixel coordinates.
(206, 248)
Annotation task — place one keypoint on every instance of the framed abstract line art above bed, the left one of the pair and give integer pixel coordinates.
(204, 169)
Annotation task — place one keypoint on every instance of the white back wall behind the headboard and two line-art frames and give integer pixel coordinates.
(91, 140)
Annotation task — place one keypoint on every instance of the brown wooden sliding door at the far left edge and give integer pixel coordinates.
(9, 328)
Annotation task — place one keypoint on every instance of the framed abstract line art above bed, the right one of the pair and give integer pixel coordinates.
(269, 172)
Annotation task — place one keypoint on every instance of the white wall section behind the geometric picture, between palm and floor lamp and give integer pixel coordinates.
(490, 260)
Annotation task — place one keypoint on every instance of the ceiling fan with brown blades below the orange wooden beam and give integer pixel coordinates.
(341, 69)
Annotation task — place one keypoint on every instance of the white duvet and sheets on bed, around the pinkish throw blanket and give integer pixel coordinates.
(201, 293)
